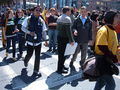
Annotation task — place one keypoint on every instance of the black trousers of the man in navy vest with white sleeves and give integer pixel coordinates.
(30, 50)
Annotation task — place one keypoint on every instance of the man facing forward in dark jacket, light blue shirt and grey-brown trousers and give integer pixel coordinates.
(82, 27)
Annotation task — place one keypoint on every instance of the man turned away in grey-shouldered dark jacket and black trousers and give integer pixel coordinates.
(64, 36)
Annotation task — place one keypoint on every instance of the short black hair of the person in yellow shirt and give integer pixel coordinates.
(109, 17)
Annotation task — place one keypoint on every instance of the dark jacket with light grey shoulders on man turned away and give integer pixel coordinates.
(64, 27)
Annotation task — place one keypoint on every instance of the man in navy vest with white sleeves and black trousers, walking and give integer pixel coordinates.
(34, 26)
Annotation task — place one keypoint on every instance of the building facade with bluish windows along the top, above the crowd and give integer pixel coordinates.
(91, 4)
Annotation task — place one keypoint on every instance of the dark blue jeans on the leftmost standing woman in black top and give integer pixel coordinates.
(13, 41)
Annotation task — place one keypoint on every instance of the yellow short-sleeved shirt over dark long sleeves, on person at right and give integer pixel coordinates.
(108, 37)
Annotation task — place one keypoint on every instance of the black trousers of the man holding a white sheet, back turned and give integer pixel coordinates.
(62, 42)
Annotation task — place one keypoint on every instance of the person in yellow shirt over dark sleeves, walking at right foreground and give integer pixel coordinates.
(106, 46)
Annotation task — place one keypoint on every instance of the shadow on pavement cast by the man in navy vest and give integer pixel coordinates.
(20, 81)
